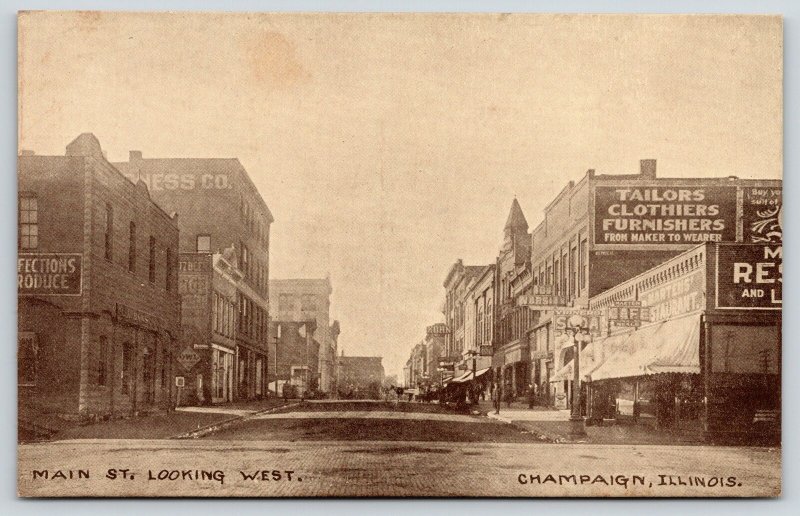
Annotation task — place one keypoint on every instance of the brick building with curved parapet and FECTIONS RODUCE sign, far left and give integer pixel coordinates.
(97, 283)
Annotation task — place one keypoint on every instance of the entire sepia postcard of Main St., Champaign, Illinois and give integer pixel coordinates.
(399, 255)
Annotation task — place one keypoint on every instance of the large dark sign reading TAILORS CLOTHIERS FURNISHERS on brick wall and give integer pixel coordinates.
(677, 215)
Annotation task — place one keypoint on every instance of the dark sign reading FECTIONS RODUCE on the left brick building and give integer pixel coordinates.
(49, 274)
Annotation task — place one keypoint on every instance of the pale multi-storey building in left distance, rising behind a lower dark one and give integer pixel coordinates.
(301, 300)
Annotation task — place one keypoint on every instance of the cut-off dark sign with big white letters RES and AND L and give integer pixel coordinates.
(749, 277)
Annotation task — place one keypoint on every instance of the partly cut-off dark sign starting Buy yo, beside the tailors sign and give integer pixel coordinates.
(762, 215)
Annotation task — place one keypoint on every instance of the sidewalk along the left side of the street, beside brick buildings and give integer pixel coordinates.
(158, 425)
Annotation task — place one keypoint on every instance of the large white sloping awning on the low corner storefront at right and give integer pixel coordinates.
(672, 346)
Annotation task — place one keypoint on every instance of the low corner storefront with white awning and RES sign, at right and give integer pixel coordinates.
(704, 352)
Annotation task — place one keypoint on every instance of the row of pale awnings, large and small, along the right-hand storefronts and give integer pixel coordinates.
(671, 346)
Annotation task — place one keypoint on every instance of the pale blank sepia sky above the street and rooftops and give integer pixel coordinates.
(389, 146)
